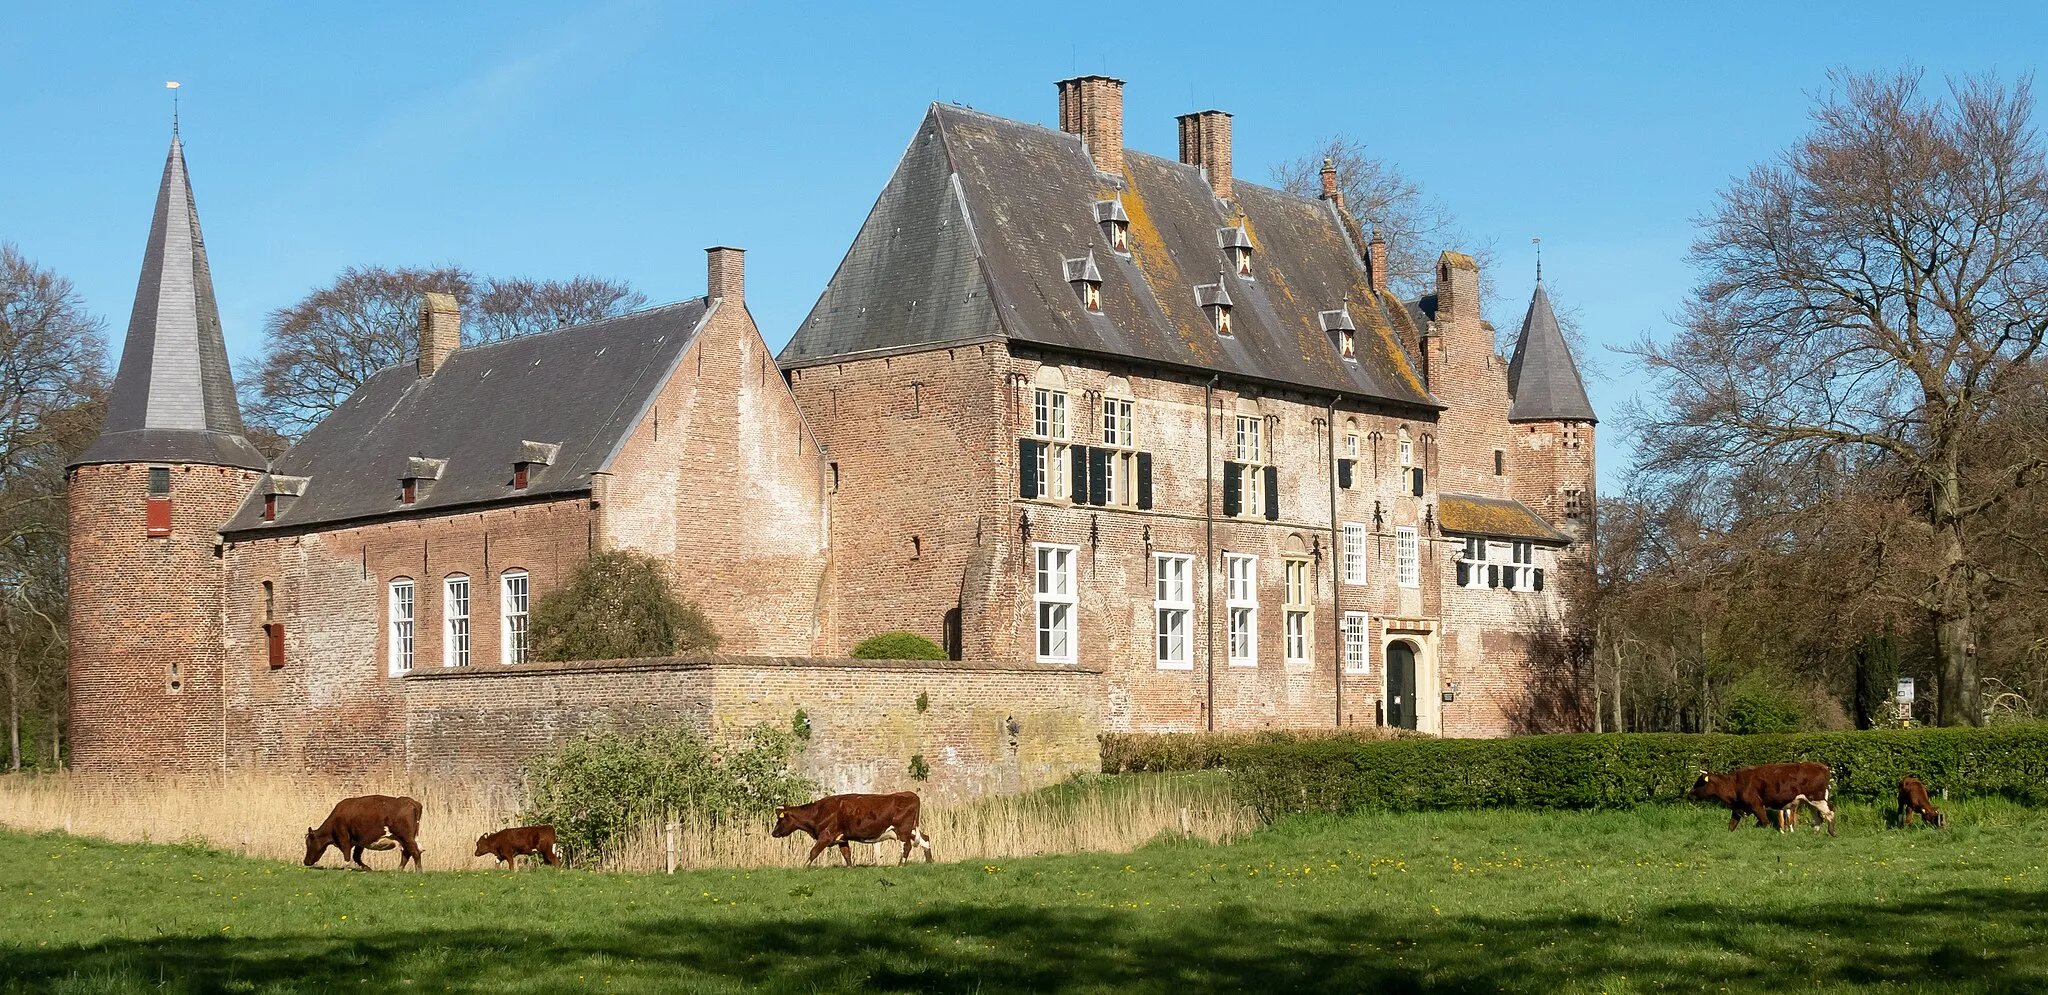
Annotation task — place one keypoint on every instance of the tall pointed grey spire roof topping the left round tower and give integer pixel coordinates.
(175, 396)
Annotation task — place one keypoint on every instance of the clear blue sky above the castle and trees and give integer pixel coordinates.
(620, 140)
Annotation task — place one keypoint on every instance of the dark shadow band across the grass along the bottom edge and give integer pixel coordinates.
(1035, 949)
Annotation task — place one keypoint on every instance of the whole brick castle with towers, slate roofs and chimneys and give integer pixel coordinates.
(1146, 447)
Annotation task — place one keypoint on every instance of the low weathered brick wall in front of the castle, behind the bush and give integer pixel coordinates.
(984, 728)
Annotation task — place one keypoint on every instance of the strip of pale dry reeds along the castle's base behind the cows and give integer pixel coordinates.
(267, 818)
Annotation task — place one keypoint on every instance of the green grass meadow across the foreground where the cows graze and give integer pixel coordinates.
(1658, 900)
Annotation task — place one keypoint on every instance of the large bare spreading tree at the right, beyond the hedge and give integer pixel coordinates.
(1879, 296)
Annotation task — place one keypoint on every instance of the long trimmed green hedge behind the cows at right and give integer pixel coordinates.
(1619, 771)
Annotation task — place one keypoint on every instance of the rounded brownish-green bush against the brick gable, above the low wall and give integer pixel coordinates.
(617, 605)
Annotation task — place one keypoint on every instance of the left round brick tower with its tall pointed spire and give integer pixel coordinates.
(146, 501)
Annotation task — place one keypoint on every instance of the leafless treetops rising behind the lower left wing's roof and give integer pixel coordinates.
(323, 349)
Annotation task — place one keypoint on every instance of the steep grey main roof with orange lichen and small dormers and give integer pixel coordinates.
(972, 234)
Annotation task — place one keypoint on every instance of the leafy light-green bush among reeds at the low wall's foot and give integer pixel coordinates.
(599, 787)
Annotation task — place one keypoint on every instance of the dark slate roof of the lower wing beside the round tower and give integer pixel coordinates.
(484, 410)
